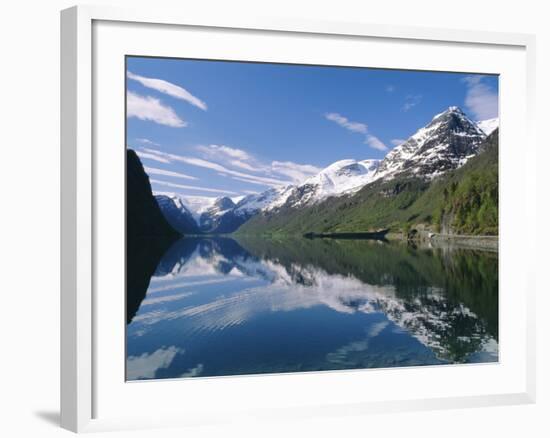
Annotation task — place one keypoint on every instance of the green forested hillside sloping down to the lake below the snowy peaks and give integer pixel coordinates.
(463, 201)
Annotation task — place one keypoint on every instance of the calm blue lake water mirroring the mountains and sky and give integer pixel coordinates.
(218, 306)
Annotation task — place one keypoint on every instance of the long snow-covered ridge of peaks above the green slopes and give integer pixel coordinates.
(444, 144)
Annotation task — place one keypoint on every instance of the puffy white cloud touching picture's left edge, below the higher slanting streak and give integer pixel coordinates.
(149, 108)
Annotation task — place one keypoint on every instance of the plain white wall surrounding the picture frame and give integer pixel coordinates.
(29, 219)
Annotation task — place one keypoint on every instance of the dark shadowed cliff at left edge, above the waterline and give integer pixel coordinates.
(143, 215)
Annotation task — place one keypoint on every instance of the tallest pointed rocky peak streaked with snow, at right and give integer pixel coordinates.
(442, 145)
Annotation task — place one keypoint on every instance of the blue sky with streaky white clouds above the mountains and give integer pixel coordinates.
(213, 128)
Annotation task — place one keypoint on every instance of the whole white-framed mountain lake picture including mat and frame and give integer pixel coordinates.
(281, 218)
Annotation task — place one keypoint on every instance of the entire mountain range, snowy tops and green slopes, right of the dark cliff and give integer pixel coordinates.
(351, 195)
